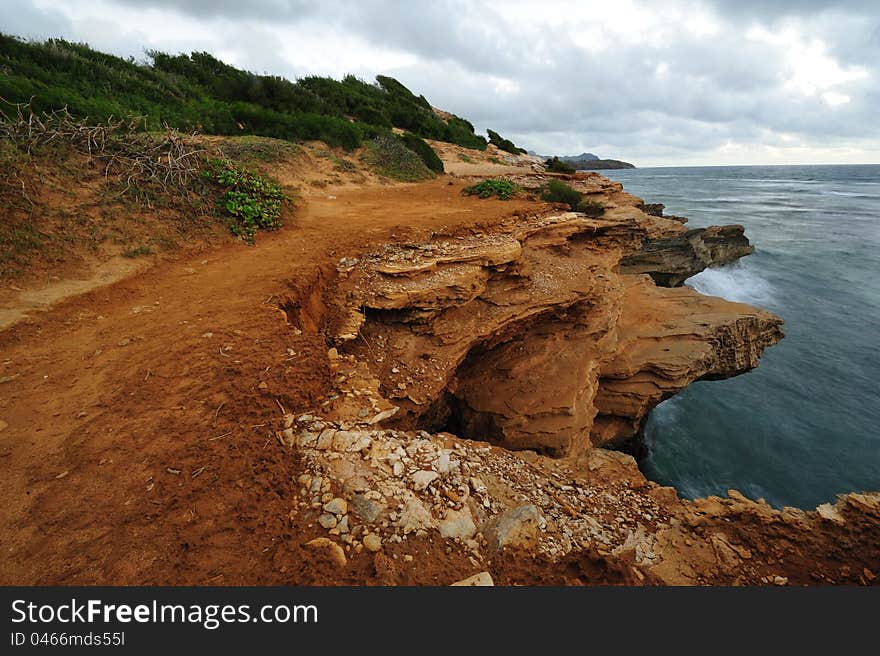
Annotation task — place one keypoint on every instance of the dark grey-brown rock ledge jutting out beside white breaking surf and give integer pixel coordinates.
(672, 260)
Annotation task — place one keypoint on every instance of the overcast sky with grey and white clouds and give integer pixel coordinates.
(654, 83)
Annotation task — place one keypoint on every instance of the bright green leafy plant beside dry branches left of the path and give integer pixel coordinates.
(250, 200)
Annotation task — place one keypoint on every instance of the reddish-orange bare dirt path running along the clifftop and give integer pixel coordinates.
(135, 450)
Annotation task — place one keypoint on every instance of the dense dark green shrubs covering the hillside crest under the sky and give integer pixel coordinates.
(200, 92)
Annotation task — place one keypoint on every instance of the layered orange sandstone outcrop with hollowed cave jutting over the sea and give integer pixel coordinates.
(538, 334)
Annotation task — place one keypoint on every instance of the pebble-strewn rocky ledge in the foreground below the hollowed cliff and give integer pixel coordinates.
(489, 502)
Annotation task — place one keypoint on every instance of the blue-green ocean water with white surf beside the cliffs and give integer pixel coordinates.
(805, 425)
